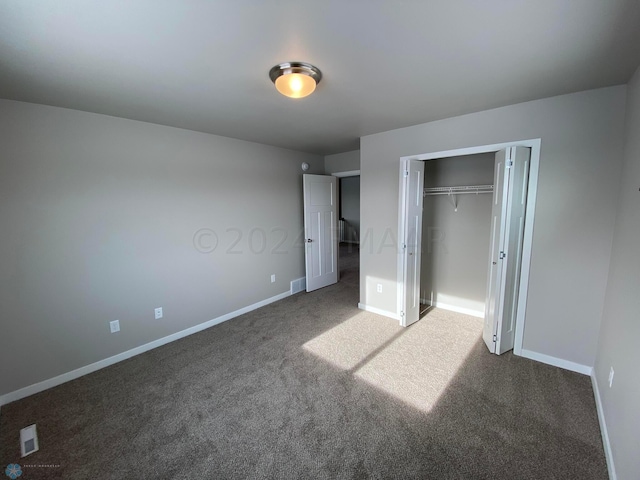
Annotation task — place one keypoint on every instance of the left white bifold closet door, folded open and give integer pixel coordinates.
(411, 192)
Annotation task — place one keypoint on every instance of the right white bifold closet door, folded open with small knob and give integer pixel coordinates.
(507, 233)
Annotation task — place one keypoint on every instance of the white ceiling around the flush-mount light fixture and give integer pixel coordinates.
(203, 65)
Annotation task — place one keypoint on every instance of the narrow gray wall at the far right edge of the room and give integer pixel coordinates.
(620, 333)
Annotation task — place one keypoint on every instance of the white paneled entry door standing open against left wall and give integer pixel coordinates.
(320, 226)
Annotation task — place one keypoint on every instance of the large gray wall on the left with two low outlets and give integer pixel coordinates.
(98, 220)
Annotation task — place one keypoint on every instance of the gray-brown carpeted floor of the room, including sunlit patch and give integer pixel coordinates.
(312, 387)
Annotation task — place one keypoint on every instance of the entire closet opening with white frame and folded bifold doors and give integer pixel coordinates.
(465, 229)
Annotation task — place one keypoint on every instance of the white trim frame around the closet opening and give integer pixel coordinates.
(534, 145)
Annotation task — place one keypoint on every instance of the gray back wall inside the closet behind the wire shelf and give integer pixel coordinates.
(455, 245)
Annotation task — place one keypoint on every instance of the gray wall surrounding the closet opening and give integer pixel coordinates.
(581, 153)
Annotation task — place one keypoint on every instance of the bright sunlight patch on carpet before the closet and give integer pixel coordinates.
(414, 364)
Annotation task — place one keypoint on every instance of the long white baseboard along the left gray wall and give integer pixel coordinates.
(79, 372)
